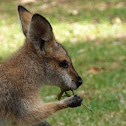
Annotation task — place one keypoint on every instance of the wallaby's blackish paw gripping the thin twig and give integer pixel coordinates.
(73, 101)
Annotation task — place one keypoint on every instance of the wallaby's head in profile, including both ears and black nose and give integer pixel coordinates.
(58, 69)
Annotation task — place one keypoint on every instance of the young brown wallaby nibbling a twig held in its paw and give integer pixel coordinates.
(40, 61)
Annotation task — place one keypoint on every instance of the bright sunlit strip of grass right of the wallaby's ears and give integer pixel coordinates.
(76, 32)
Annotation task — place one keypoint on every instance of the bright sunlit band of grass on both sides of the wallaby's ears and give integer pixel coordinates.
(72, 33)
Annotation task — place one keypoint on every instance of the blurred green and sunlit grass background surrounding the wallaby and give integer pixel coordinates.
(94, 34)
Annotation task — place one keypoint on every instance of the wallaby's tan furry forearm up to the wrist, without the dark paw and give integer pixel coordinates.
(38, 114)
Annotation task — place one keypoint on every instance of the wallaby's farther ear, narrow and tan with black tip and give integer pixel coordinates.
(25, 18)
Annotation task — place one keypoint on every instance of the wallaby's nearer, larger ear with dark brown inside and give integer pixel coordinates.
(40, 33)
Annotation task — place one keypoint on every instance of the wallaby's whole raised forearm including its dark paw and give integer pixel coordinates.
(38, 114)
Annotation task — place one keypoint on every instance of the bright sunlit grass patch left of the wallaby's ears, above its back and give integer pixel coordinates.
(13, 40)
